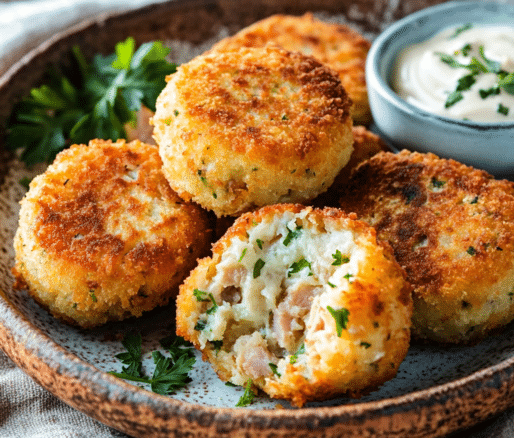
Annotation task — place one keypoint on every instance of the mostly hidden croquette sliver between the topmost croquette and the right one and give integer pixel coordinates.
(365, 145)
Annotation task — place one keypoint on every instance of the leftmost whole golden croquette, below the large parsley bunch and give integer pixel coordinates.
(103, 237)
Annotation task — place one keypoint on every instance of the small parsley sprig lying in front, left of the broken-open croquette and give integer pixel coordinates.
(170, 373)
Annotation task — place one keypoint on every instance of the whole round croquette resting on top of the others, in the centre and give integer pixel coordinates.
(254, 127)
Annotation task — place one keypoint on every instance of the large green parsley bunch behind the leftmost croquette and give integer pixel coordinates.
(110, 90)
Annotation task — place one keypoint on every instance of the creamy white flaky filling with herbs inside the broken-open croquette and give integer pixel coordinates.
(272, 289)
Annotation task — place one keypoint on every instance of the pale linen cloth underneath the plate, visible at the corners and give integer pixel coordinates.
(26, 409)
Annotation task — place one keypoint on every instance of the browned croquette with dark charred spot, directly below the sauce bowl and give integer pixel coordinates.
(452, 229)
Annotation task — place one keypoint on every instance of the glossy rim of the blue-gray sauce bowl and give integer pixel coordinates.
(377, 83)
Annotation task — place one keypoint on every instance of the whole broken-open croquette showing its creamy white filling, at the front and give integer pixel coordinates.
(303, 302)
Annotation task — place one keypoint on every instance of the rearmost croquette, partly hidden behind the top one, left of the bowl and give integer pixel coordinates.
(338, 46)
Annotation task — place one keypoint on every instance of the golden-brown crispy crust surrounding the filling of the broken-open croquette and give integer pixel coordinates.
(367, 353)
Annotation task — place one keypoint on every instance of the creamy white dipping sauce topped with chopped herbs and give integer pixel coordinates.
(424, 80)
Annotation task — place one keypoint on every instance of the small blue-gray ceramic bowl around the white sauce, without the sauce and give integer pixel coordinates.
(488, 146)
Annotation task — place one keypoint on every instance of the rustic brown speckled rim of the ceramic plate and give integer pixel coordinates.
(428, 413)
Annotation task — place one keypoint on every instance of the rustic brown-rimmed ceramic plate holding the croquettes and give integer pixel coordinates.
(437, 389)
